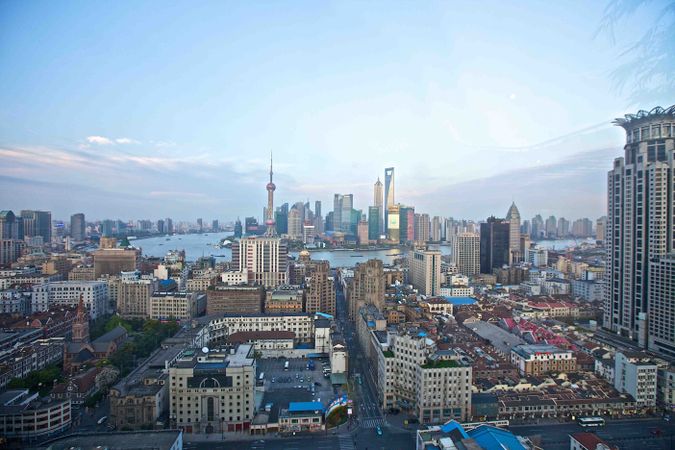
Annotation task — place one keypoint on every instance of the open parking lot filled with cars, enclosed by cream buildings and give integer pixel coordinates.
(297, 377)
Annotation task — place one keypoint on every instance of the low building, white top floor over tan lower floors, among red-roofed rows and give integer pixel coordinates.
(539, 359)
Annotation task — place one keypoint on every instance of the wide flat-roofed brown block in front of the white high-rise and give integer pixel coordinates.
(224, 299)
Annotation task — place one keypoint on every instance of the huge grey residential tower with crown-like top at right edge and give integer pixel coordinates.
(640, 233)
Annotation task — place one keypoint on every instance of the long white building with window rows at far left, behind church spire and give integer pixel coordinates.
(67, 293)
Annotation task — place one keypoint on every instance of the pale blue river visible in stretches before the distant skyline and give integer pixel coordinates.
(197, 245)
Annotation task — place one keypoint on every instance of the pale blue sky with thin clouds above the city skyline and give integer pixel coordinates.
(171, 109)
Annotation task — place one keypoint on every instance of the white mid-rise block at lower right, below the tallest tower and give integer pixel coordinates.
(636, 374)
